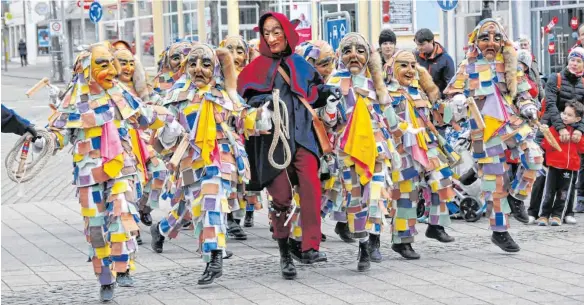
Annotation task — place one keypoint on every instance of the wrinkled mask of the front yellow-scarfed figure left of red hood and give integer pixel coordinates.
(200, 65)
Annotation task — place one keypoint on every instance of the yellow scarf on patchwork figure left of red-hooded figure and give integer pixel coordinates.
(206, 131)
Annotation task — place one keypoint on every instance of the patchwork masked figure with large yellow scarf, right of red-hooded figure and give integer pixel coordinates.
(363, 146)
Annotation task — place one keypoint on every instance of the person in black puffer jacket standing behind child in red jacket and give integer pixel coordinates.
(571, 86)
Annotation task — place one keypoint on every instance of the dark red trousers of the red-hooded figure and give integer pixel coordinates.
(303, 172)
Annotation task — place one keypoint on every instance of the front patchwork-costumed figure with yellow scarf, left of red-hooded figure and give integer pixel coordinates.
(204, 100)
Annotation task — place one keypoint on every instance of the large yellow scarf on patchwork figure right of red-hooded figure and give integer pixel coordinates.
(360, 143)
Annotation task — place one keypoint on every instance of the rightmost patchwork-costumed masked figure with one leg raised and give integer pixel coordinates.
(499, 122)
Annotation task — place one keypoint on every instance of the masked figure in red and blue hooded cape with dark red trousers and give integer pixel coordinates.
(296, 79)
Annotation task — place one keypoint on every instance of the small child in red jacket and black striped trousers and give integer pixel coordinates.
(563, 168)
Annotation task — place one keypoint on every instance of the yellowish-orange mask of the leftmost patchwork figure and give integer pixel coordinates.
(103, 70)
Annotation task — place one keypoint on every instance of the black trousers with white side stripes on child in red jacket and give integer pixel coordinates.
(559, 189)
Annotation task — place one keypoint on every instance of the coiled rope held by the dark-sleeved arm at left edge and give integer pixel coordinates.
(26, 171)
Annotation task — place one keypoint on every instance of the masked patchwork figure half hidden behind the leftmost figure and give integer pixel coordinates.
(152, 170)
